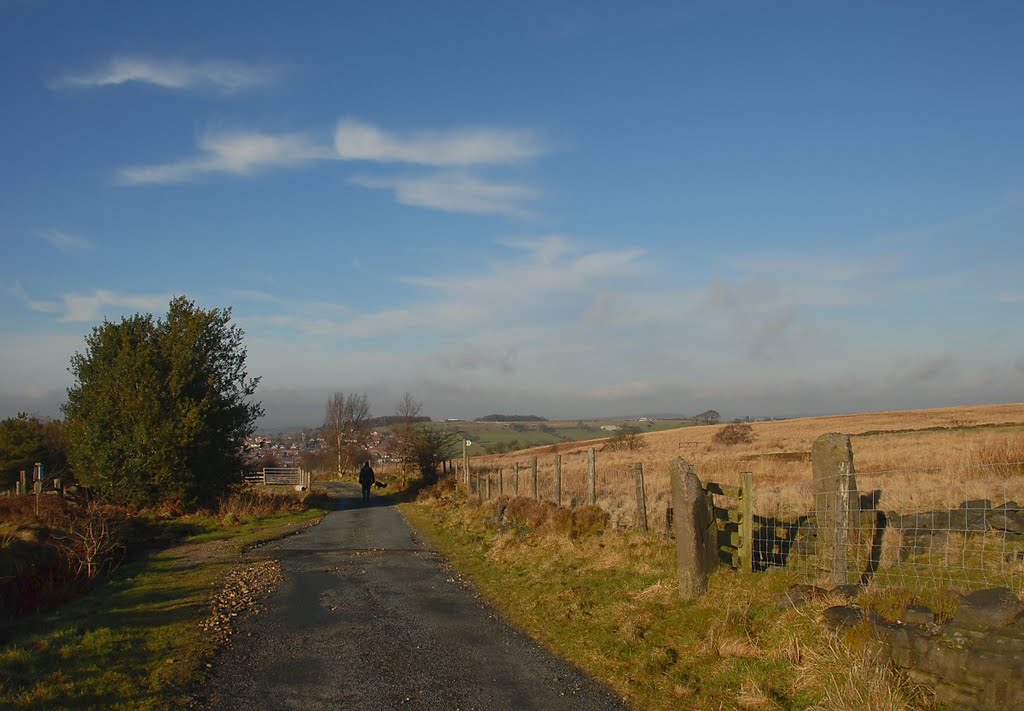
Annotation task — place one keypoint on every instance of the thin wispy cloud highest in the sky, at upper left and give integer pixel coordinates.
(170, 74)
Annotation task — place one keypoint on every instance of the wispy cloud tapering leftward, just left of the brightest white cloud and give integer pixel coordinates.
(233, 153)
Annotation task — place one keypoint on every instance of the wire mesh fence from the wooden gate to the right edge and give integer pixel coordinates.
(955, 528)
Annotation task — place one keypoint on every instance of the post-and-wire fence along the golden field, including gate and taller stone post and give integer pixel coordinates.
(962, 529)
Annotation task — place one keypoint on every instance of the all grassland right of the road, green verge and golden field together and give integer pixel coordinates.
(609, 603)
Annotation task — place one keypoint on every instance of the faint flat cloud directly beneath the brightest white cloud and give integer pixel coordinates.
(457, 193)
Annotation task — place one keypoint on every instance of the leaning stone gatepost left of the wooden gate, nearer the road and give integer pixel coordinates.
(694, 525)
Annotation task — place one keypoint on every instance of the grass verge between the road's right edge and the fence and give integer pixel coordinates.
(609, 604)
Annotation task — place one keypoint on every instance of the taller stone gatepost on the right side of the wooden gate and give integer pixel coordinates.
(837, 503)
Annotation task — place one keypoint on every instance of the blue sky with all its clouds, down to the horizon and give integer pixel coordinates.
(565, 210)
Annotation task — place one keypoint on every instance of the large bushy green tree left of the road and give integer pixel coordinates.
(160, 409)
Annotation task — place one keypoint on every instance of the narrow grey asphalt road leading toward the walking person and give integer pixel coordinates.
(367, 618)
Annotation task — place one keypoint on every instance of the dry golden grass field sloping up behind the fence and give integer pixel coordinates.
(919, 459)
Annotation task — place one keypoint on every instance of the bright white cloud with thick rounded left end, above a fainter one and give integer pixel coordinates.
(356, 141)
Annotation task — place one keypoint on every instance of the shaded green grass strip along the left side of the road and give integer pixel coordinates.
(135, 641)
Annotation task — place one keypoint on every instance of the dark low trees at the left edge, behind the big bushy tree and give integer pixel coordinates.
(26, 440)
